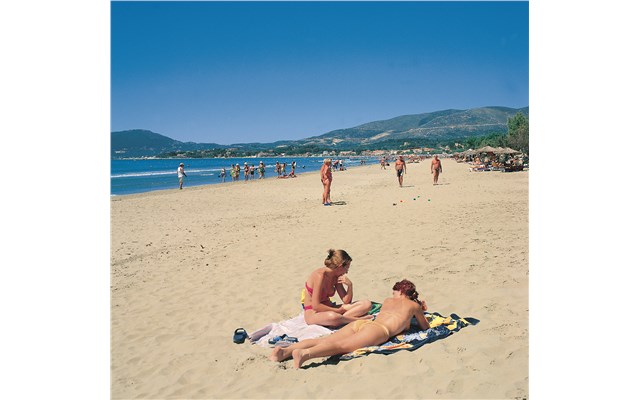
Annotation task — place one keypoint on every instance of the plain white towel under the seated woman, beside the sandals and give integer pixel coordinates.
(294, 327)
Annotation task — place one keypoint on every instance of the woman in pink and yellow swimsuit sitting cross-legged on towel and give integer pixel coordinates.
(325, 282)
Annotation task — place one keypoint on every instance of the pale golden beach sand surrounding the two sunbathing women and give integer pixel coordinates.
(189, 267)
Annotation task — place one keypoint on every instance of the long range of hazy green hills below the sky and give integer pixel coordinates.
(432, 127)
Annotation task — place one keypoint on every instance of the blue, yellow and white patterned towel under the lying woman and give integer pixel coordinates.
(414, 338)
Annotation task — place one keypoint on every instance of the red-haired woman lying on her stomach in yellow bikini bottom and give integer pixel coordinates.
(394, 318)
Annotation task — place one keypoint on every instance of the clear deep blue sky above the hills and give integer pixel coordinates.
(239, 72)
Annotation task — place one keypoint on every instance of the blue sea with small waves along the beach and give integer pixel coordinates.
(145, 175)
